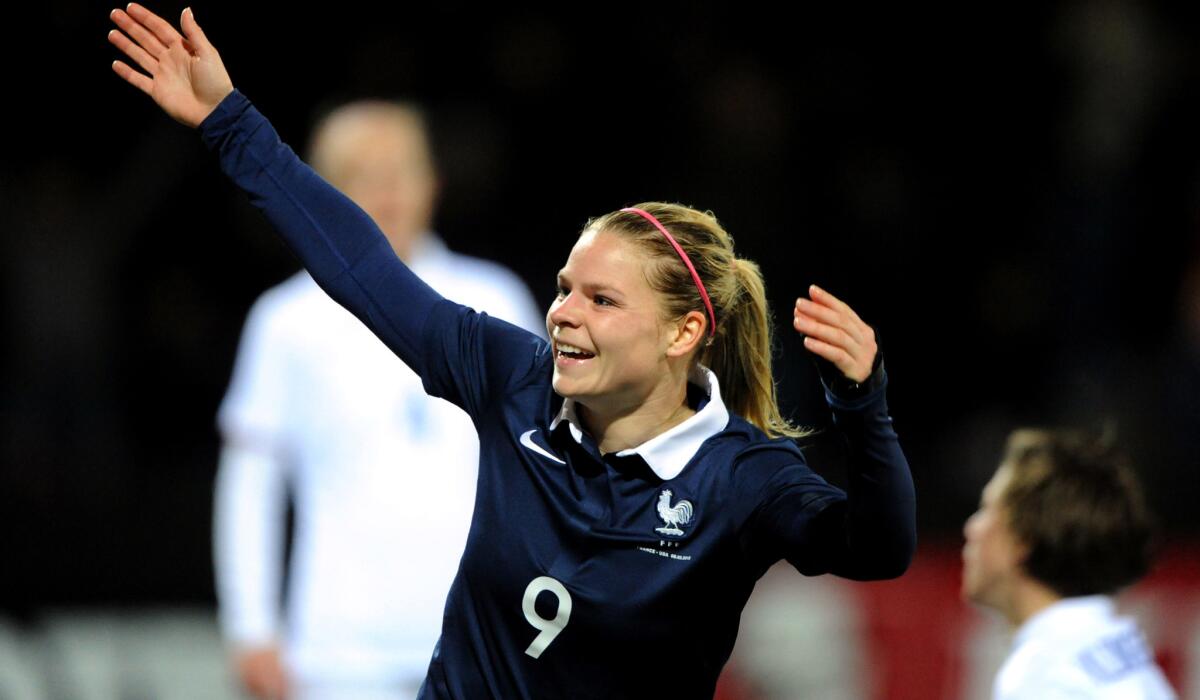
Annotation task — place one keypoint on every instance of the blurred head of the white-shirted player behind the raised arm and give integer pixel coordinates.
(379, 155)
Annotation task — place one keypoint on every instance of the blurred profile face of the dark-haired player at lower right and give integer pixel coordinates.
(992, 557)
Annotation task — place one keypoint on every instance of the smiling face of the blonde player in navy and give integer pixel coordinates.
(611, 343)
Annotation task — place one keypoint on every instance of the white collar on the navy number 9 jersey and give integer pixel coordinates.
(669, 452)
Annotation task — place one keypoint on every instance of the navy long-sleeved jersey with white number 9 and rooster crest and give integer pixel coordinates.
(585, 576)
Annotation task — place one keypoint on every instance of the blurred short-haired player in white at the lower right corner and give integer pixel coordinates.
(1063, 528)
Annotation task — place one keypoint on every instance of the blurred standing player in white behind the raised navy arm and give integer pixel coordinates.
(382, 476)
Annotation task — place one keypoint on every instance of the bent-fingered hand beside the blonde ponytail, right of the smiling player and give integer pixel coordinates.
(836, 333)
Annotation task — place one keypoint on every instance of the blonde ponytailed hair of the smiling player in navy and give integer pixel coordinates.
(741, 351)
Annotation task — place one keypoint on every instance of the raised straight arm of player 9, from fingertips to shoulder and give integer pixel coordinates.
(463, 357)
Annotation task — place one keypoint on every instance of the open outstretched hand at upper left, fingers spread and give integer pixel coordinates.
(187, 77)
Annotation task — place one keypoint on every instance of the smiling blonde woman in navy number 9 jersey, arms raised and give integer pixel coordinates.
(629, 496)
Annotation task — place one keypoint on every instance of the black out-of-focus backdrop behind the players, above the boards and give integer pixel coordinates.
(1012, 199)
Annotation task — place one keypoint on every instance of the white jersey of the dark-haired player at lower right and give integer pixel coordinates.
(1079, 649)
